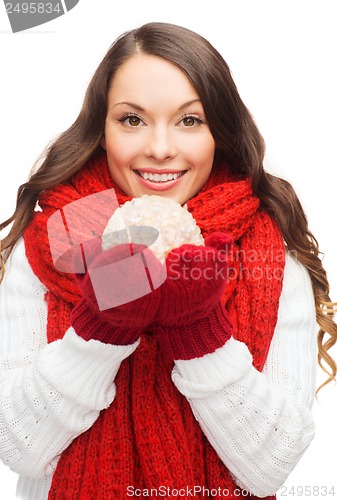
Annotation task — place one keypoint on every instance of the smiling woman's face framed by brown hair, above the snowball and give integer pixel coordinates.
(156, 137)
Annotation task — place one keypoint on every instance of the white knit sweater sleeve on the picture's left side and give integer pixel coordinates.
(49, 393)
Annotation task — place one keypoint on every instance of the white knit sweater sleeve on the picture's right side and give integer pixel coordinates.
(260, 424)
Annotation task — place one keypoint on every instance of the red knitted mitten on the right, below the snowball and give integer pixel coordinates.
(191, 320)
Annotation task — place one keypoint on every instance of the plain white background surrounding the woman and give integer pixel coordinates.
(283, 59)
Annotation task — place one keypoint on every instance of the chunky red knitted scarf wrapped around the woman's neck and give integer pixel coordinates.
(148, 437)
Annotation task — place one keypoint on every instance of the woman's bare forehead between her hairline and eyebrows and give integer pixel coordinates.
(151, 77)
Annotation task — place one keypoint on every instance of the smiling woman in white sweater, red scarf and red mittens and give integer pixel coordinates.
(89, 408)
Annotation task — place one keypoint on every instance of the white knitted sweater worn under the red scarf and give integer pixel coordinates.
(260, 424)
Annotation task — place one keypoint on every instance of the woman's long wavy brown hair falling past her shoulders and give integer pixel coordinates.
(237, 138)
